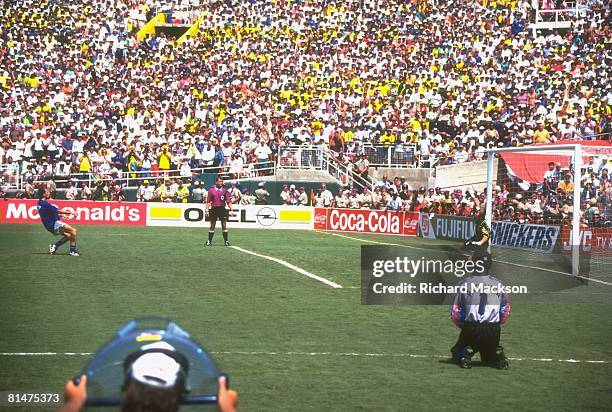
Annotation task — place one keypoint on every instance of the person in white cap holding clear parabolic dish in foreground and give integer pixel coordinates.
(150, 365)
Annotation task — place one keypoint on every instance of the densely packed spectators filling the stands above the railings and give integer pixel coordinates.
(81, 96)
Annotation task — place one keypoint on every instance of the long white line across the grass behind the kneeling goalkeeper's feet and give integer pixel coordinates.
(337, 354)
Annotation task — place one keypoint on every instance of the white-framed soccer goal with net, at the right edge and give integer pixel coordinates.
(549, 208)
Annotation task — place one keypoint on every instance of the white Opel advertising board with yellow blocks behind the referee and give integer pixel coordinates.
(242, 216)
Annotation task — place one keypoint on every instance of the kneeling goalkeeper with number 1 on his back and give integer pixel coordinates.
(479, 314)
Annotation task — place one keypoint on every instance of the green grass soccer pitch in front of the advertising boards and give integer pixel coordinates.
(288, 341)
